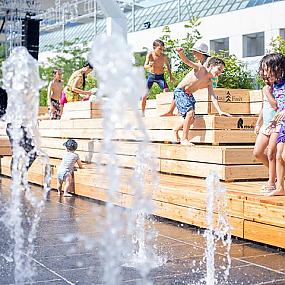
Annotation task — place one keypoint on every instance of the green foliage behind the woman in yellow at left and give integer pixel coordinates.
(69, 58)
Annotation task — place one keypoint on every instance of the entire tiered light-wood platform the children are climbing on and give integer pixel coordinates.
(223, 145)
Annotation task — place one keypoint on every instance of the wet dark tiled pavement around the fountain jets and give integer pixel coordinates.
(59, 258)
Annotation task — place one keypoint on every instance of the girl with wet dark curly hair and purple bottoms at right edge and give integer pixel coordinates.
(272, 68)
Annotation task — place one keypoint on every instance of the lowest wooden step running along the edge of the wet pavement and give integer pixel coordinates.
(184, 199)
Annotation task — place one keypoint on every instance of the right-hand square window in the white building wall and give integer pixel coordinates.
(253, 44)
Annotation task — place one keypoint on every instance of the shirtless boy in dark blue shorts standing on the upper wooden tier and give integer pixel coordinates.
(154, 63)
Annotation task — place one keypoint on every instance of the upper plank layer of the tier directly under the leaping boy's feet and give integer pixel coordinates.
(88, 151)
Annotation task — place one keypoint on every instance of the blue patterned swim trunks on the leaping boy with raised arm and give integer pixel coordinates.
(184, 102)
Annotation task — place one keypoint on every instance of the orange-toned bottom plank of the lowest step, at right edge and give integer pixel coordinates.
(268, 234)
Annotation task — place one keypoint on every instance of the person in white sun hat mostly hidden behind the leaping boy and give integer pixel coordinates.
(200, 52)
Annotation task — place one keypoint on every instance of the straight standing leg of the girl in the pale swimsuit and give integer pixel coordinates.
(271, 154)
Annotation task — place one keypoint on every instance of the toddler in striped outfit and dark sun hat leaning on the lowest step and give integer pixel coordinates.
(66, 167)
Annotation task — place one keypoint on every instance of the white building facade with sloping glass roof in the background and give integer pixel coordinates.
(243, 27)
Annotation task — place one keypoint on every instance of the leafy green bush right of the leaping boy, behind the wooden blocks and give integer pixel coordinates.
(236, 74)
